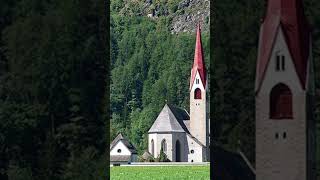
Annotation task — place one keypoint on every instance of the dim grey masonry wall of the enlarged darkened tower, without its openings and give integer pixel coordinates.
(282, 158)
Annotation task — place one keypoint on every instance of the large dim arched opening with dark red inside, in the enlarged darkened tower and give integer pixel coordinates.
(281, 102)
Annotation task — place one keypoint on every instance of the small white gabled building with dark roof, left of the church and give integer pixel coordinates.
(122, 151)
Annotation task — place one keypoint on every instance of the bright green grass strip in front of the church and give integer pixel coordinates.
(160, 172)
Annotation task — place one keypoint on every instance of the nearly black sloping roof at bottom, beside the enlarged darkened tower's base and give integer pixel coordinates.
(229, 165)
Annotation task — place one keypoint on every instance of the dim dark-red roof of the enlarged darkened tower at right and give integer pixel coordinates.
(289, 15)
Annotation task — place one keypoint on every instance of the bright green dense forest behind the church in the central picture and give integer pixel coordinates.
(150, 67)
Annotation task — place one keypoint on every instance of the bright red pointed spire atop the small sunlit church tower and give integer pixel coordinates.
(198, 62)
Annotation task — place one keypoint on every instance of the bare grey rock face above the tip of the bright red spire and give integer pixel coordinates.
(193, 11)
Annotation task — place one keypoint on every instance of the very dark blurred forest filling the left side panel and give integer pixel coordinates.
(53, 74)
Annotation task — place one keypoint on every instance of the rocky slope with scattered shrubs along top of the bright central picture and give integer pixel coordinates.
(184, 14)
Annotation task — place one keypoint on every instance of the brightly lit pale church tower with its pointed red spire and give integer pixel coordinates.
(198, 102)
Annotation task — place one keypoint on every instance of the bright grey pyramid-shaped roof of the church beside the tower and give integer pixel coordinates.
(170, 119)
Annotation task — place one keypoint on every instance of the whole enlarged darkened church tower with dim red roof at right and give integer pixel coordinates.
(284, 90)
